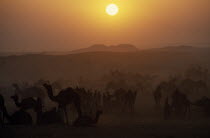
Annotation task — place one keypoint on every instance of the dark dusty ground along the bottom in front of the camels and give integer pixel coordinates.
(123, 127)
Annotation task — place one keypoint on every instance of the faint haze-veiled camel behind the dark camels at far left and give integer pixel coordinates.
(29, 91)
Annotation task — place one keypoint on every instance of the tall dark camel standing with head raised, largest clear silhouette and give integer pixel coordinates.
(64, 98)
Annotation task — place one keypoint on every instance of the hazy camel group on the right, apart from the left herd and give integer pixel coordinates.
(177, 102)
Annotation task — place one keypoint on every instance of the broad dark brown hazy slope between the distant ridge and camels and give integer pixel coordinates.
(95, 64)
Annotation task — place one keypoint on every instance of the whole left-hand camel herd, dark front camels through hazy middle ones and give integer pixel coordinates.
(84, 101)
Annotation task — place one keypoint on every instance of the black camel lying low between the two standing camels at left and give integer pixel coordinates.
(49, 117)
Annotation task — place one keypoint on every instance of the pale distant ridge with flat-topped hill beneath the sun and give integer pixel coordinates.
(123, 48)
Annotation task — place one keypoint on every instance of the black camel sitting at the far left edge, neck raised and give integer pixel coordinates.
(20, 117)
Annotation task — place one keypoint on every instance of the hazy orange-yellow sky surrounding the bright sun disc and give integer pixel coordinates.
(51, 25)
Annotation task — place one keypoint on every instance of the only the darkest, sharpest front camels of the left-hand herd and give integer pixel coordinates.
(64, 98)
